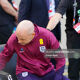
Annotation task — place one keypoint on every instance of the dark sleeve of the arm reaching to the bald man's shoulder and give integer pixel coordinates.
(62, 7)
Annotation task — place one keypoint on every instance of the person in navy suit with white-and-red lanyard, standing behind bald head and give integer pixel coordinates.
(37, 11)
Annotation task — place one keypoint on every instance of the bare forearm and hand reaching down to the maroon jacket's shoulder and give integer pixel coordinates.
(54, 21)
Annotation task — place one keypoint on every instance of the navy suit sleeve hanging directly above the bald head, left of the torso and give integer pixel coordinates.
(24, 10)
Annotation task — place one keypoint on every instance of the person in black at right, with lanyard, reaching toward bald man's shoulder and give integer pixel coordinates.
(72, 9)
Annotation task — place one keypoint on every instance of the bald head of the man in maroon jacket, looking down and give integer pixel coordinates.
(25, 31)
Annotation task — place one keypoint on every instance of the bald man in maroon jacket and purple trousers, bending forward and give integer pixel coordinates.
(30, 42)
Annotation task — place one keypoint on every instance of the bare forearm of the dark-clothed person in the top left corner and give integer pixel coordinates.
(7, 7)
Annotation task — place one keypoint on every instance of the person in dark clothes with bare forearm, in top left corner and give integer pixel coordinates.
(8, 16)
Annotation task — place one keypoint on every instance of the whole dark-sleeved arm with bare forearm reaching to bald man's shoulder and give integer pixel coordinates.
(62, 7)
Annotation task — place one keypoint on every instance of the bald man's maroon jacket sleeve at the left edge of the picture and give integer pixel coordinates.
(7, 53)
